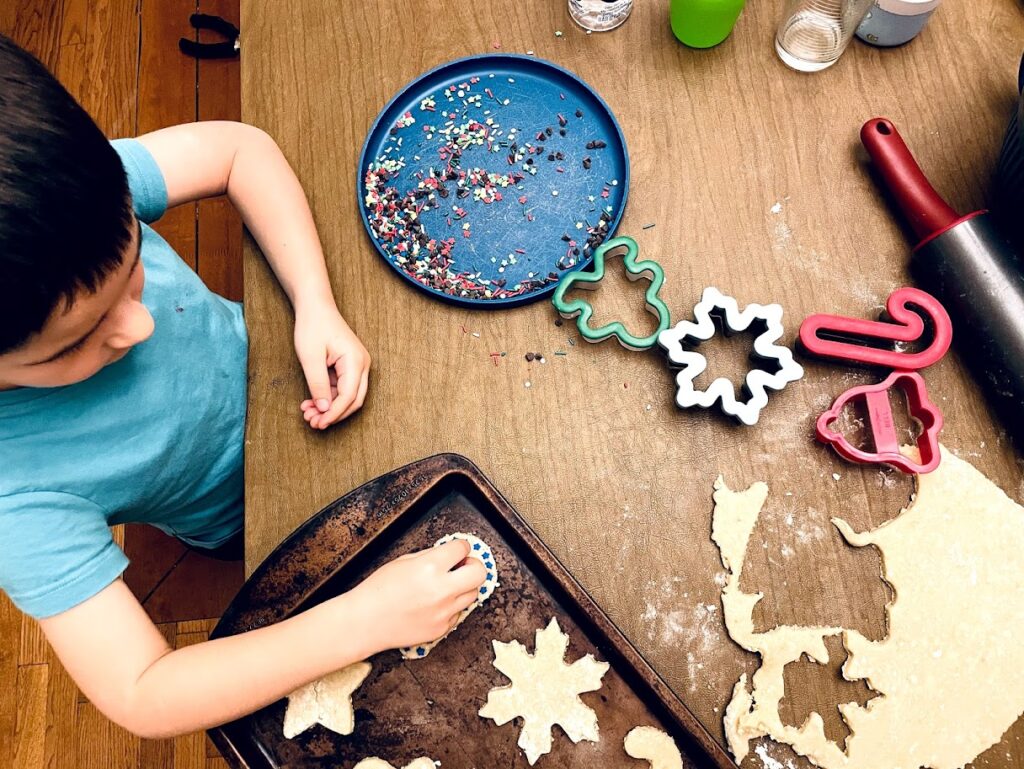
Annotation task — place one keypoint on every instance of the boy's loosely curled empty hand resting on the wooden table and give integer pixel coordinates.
(335, 363)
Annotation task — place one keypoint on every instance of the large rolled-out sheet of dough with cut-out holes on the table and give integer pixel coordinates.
(950, 674)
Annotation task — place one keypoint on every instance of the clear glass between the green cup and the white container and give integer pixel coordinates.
(815, 33)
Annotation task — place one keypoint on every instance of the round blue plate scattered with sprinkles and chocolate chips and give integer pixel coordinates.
(489, 178)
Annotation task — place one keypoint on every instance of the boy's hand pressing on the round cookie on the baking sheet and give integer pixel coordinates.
(417, 597)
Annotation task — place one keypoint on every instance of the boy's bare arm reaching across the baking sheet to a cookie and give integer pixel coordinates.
(122, 663)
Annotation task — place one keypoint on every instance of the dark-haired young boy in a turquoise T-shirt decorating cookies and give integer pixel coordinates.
(123, 399)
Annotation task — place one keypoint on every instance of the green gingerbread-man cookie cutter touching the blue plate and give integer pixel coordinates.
(635, 270)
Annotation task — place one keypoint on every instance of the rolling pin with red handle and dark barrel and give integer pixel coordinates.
(970, 268)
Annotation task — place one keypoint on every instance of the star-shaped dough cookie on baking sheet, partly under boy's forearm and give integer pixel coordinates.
(327, 702)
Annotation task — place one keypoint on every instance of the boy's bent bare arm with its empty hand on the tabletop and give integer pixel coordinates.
(202, 160)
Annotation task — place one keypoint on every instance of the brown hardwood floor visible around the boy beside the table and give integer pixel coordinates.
(120, 59)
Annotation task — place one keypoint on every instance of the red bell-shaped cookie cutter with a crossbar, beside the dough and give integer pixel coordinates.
(883, 426)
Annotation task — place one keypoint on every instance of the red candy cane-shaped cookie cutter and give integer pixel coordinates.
(842, 338)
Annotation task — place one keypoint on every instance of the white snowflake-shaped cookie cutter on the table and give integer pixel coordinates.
(716, 306)
